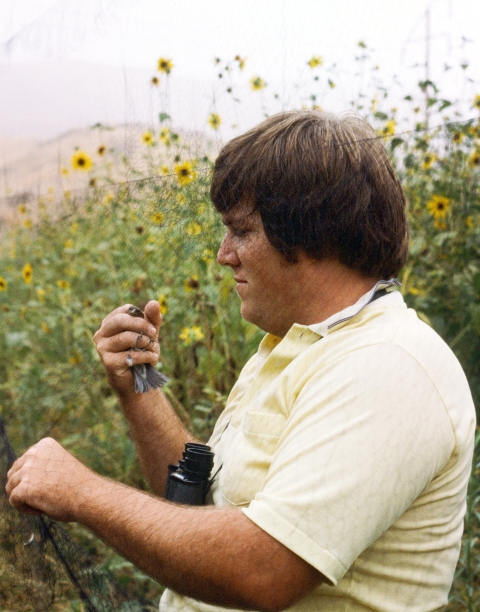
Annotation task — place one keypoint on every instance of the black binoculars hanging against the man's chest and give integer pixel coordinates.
(189, 481)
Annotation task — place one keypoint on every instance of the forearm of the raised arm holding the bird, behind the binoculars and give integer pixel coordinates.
(157, 432)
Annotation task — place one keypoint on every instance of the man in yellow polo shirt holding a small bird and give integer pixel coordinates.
(345, 447)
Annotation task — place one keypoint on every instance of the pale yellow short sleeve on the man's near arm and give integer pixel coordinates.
(365, 436)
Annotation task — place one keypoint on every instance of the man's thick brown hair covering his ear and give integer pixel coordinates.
(322, 185)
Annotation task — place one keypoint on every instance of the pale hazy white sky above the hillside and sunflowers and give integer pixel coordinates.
(67, 63)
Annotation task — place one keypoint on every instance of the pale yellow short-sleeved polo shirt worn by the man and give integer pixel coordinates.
(351, 444)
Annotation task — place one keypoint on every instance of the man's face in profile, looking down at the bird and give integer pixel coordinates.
(266, 283)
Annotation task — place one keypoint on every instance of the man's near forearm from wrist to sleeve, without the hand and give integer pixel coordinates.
(215, 555)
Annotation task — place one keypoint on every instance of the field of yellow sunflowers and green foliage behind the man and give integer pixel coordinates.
(73, 258)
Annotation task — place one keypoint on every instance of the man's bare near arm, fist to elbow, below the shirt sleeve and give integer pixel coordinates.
(212, 554)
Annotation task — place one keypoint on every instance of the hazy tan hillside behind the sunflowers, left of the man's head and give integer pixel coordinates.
(29, 168)
